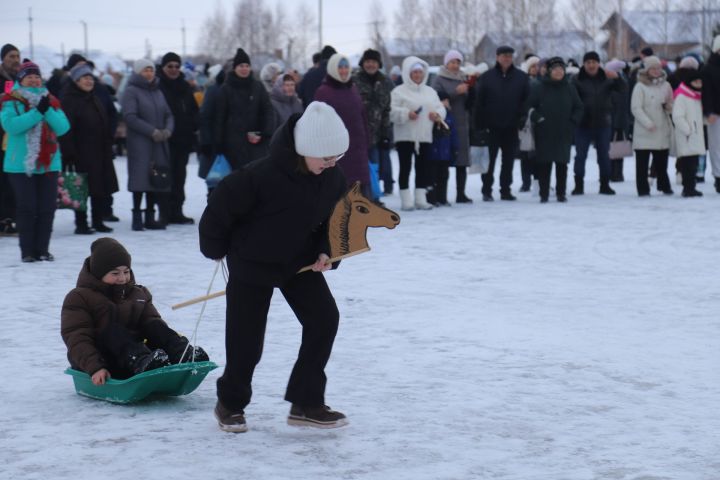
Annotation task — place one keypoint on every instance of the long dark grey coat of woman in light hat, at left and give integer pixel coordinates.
(144, 110)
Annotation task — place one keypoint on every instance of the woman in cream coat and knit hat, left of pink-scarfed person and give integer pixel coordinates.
(651, 105)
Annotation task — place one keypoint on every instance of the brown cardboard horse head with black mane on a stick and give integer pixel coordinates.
(349, 222)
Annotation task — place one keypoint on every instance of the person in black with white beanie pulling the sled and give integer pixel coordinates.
(270, 219)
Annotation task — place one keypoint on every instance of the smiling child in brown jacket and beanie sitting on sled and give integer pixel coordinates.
(107, 318)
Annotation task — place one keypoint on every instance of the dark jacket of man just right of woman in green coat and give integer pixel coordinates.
(596, 94)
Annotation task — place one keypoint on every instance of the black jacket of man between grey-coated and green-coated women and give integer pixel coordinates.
(500, 98)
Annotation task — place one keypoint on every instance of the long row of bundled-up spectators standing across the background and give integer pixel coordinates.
(535, 112)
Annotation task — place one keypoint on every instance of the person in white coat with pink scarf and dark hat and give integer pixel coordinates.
(689, 138)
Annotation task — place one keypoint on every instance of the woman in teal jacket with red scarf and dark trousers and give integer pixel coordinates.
(32, 120)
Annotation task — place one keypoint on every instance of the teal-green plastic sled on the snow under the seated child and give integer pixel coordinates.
(172, 380)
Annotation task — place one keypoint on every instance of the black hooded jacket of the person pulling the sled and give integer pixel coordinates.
(270, 217)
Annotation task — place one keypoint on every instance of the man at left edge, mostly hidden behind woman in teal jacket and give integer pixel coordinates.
(10, 57)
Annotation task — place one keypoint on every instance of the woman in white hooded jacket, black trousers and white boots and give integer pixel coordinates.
(415, 107)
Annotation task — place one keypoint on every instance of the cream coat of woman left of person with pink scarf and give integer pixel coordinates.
(651, 105)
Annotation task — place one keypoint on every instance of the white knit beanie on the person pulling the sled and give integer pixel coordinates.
(320, 132)
